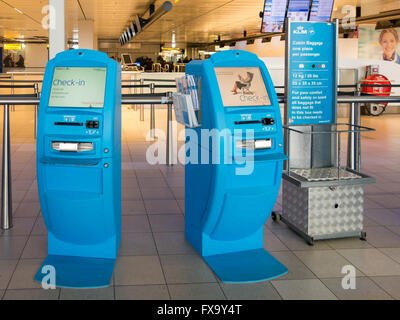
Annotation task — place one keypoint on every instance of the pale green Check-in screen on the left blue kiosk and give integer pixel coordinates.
(78, 87)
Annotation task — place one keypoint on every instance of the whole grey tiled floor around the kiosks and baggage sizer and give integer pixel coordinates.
(156, 262)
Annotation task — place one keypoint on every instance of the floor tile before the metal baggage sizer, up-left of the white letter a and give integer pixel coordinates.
(324, 263)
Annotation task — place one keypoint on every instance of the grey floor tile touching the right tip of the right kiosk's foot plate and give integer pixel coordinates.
(296, 268)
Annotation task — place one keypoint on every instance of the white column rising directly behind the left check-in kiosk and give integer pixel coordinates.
(57, 38)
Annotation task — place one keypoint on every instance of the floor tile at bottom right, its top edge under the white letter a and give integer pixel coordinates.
(366, 289)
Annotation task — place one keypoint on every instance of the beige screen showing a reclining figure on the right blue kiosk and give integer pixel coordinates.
(242, 87)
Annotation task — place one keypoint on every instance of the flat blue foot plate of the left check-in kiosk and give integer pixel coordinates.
(78, 272)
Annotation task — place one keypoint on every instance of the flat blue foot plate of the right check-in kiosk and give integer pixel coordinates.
(246, 266)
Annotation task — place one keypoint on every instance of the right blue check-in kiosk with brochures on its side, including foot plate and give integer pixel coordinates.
(229, 199)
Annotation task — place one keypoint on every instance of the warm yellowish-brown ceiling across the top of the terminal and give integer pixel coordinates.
(191, 20)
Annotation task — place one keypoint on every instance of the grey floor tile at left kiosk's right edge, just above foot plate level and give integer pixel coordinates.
(137, 244)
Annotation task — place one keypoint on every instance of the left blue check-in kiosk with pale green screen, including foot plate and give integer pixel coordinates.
(79, 167)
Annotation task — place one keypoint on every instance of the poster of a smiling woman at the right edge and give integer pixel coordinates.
(379, 44)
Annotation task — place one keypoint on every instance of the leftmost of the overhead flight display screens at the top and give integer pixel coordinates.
(274, 15)
